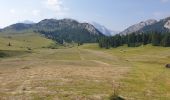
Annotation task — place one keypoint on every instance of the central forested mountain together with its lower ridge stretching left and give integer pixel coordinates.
(65, 29)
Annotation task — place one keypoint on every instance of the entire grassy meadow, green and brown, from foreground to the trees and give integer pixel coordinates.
(80, 73)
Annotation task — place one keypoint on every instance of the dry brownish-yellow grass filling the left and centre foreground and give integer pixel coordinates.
(60, 74)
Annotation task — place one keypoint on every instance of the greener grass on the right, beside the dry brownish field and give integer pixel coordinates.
(148, 78)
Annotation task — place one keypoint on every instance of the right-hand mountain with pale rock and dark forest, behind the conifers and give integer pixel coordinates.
(149, 26)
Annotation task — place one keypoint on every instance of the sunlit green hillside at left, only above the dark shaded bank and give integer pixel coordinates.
(21, 41)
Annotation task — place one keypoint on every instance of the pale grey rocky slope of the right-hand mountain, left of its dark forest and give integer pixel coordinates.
(138, 27)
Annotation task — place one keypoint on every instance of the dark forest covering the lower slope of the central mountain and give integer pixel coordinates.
(77, 35)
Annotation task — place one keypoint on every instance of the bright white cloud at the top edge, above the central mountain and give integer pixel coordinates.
(57, 6)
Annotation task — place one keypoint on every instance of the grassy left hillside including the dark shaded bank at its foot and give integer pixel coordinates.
(20, 43)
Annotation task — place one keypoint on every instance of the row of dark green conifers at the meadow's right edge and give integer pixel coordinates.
(135, 40)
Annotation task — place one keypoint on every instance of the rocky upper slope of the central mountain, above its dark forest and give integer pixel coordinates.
(53, 25)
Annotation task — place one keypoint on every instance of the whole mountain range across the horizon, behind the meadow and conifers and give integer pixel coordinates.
(72, 30)
